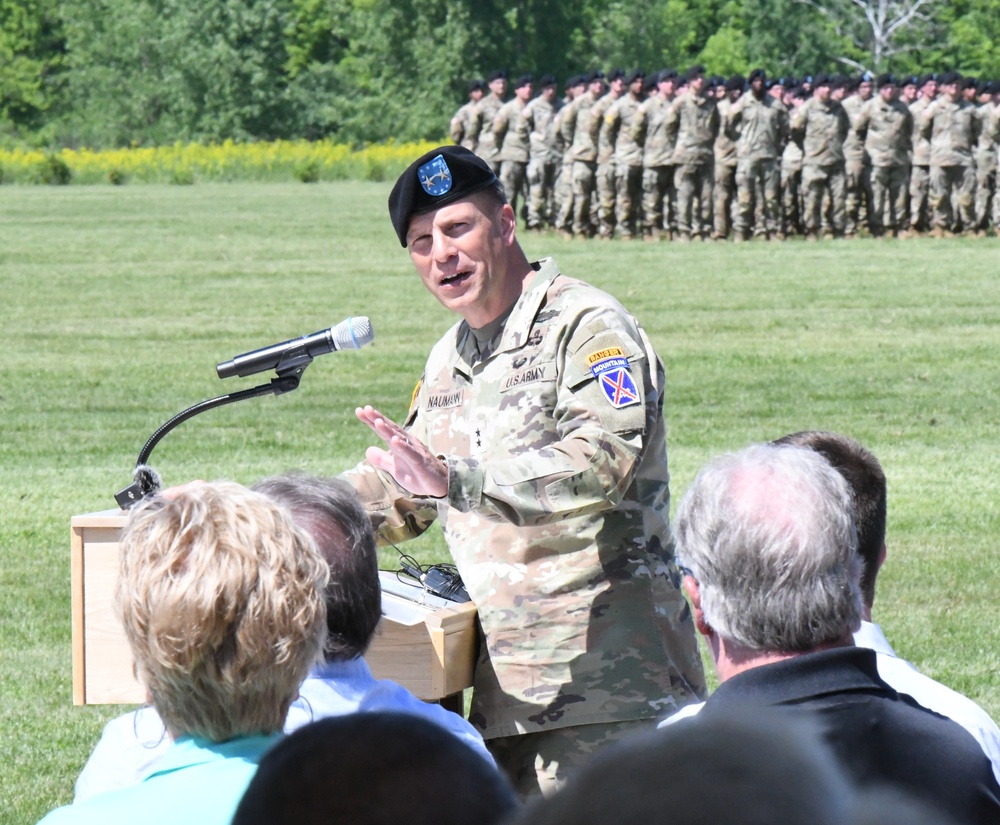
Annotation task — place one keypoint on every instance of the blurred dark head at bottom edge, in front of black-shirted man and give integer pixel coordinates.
(743, 767)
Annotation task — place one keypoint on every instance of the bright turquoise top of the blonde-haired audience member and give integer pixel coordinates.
(194, 781)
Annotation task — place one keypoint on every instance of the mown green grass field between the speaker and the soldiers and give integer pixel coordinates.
(117, 302)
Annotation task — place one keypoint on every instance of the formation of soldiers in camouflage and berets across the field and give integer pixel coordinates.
(691, 157)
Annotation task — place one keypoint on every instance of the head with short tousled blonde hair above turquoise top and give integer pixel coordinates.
(220, 594)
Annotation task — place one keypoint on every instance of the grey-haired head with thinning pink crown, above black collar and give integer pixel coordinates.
(767, 538)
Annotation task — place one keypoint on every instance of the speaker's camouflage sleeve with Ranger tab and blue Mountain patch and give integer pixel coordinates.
(600, 445)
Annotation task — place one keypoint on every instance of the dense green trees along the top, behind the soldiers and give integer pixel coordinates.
(105, 73)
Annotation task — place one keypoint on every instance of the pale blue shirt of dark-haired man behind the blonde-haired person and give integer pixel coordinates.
(132, 745)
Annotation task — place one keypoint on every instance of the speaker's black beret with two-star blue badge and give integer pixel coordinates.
(442, 176)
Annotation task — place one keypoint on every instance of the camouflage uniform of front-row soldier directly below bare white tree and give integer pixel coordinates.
(886, 127)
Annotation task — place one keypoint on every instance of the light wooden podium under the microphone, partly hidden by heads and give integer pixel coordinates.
(425, 643)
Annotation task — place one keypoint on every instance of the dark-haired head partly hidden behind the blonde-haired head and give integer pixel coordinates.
(329, 510)
